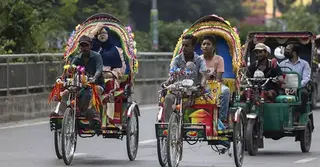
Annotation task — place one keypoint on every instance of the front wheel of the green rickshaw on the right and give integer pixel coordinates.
(251, 139)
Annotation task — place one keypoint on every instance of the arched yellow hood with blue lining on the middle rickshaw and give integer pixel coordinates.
(227, 44)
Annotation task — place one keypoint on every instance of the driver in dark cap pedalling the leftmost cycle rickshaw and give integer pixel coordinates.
(92, 62)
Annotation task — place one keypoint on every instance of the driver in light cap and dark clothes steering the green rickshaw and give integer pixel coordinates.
(264, 64)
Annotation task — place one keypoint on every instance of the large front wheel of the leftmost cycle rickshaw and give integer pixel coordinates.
(68, 136)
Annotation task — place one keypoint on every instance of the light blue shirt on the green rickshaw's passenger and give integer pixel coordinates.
(302, 67)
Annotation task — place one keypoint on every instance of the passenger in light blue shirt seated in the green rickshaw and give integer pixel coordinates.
(300, 66)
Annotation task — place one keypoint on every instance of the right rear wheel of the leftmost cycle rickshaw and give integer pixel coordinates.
(132, 134)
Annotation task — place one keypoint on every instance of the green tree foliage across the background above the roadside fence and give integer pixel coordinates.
(32, 26)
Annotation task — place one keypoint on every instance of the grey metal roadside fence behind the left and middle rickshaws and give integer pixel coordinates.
(35, 73)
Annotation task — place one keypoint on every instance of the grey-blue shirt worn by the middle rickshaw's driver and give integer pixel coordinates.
(180, 62)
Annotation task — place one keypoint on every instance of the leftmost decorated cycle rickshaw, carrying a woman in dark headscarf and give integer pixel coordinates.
(125, 122)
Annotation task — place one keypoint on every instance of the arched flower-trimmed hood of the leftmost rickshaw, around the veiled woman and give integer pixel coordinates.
(122, 37)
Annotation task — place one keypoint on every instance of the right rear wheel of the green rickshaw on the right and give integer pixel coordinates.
(306, 138)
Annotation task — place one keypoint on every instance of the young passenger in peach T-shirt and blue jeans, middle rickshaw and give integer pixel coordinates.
(215, 64)
